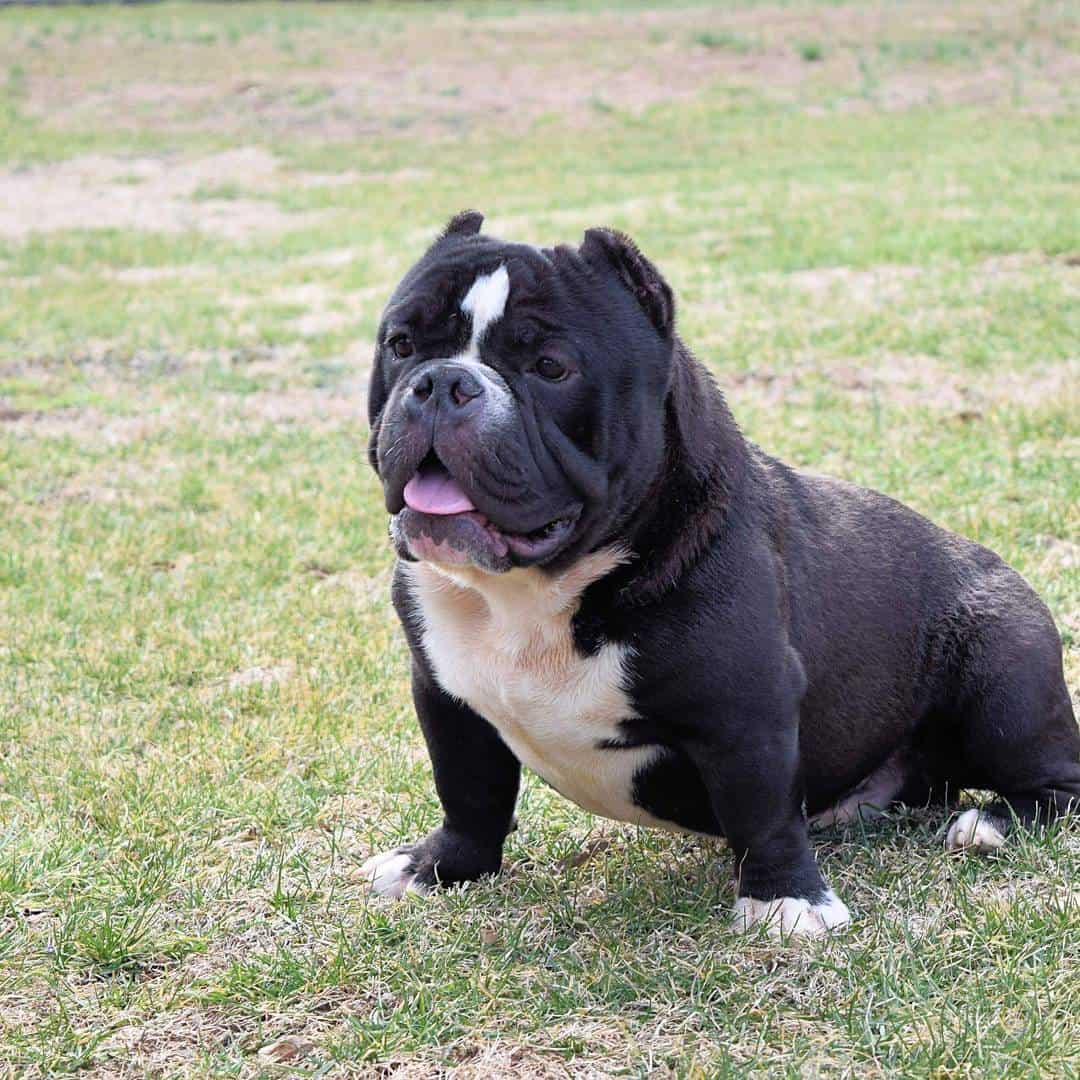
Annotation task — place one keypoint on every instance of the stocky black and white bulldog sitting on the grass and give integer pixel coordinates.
(602, 579)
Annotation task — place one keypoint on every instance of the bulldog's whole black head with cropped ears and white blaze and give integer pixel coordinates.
(518, 398)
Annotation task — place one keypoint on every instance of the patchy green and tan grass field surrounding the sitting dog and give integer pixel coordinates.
(871, 215)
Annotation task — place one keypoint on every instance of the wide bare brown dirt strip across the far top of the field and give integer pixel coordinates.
(503, 73)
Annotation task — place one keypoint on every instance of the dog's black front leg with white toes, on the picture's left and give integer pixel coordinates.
(477, 778)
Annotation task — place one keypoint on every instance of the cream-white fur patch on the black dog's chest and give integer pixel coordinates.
(504, 645)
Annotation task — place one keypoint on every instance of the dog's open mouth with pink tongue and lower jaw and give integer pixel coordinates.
(440, 523)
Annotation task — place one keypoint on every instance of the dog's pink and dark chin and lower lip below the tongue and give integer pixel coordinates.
(471, 539)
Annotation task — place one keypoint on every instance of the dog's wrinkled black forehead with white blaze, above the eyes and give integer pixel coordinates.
(482, 281)
